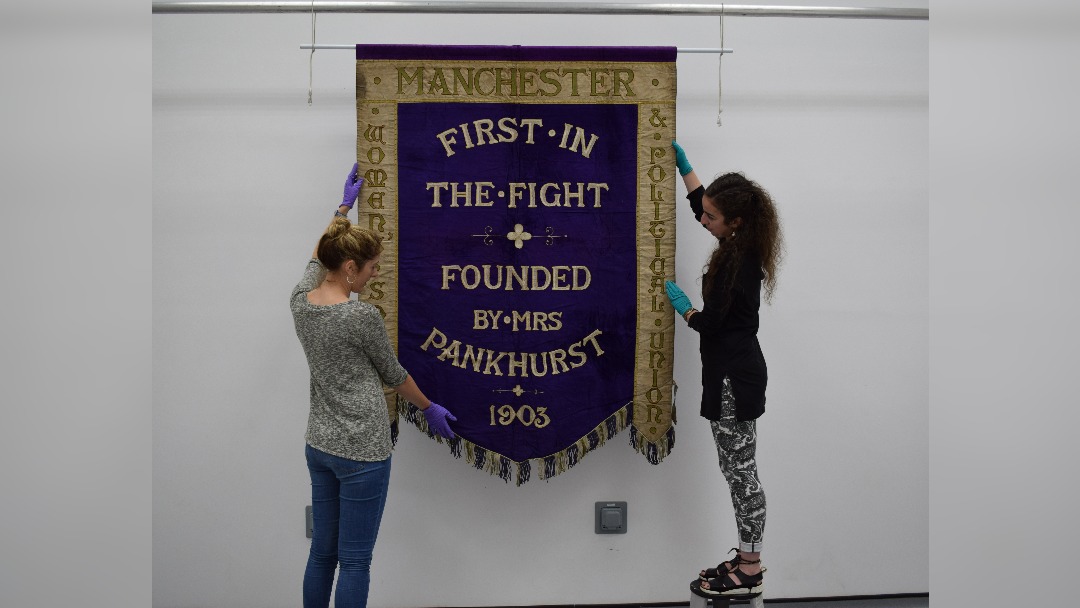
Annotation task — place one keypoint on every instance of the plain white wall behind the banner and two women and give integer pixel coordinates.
(831, 115)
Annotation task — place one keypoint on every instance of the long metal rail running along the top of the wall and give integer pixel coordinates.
(166, 7)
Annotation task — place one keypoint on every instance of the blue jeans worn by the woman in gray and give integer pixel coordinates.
(347, 502)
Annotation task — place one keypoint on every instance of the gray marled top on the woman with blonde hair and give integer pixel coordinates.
(350, 359)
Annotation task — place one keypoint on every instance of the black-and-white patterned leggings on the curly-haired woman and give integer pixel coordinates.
(736, 445)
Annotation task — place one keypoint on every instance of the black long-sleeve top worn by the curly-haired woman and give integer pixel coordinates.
(730, 346)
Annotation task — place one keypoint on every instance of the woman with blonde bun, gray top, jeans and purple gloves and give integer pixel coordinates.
(348, 448)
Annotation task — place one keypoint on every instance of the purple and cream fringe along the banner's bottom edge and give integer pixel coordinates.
(548, 467)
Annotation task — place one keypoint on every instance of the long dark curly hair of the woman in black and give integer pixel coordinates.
(759, 235)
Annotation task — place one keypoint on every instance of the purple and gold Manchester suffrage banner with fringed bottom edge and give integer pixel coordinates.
(525, 197)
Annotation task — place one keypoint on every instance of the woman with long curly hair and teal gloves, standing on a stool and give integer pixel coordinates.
(742, 218)
